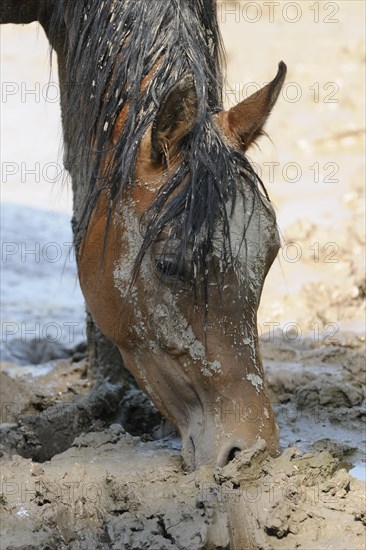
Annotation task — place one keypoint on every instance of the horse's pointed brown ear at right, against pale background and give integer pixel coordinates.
(246, 120)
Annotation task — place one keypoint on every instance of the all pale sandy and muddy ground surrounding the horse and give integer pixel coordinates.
(89, 467)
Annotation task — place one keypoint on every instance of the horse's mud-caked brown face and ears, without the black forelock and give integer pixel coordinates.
(203, 372)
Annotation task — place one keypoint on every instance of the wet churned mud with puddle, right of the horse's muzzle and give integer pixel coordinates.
(318, 391)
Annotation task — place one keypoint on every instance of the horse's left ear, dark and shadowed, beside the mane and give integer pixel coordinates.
(175, 119)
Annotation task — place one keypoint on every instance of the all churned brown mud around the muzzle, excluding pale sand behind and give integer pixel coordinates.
(110, 489)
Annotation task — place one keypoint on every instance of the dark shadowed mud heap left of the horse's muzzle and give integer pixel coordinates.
(42, 415)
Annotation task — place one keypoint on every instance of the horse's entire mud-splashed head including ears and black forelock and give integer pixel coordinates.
(182, 272)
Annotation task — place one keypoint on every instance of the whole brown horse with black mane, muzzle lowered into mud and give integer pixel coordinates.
(174, 230)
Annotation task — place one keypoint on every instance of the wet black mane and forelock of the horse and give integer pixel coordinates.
(111, 46)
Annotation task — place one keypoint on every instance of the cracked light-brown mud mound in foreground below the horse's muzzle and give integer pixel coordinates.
(110, 490)
